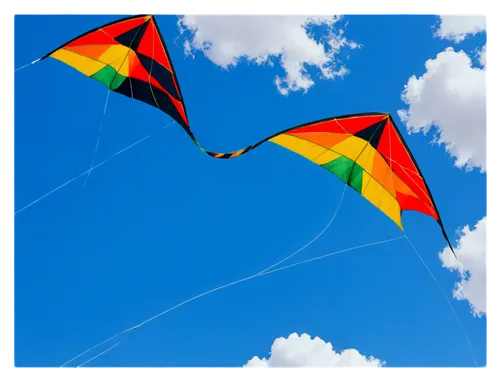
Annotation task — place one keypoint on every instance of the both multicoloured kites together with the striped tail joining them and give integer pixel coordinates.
(366, 151)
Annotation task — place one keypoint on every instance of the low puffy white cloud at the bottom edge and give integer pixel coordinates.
(305, 352)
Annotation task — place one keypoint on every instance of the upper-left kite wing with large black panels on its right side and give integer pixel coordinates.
(129, 56)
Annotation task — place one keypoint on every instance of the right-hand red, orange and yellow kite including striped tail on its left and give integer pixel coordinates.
(367, 152)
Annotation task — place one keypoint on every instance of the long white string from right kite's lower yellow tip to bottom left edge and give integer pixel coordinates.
(132, 329)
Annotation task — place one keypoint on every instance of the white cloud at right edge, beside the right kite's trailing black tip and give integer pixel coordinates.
(471, 267)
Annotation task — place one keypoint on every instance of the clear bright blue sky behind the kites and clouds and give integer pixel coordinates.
(162, 222)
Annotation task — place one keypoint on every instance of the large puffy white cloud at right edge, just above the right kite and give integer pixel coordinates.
(451, 96)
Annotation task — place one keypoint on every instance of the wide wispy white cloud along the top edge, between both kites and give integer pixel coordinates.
(227, 39)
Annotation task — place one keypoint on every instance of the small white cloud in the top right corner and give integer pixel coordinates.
(458, 24)
